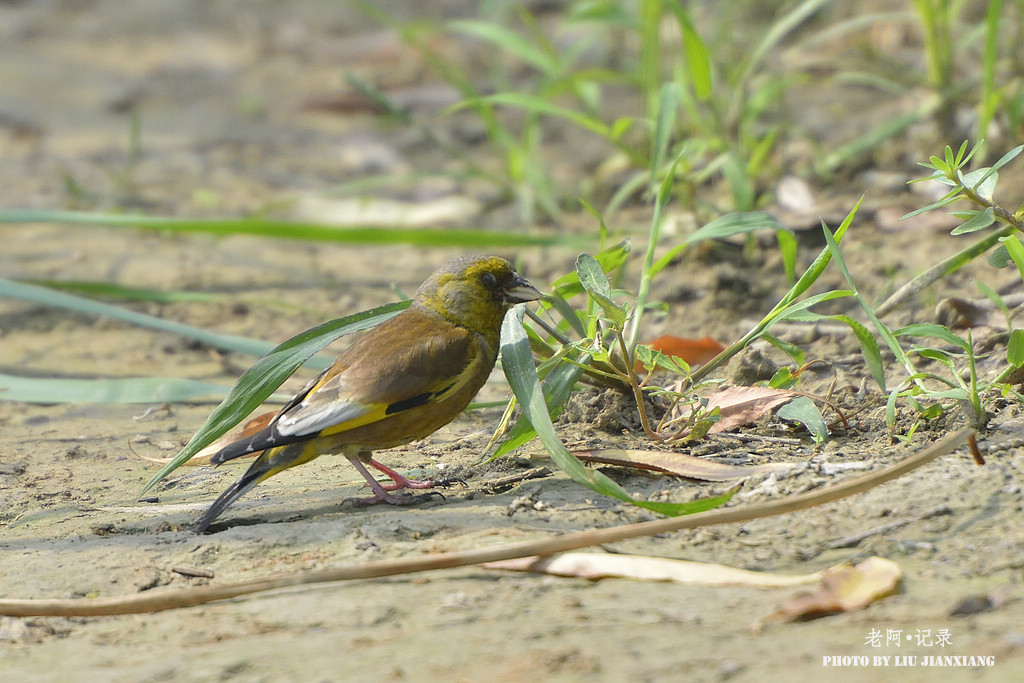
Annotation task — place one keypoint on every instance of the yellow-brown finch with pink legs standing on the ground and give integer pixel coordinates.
(400, 382)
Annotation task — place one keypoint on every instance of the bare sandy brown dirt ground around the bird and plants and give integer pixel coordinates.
(223, 93)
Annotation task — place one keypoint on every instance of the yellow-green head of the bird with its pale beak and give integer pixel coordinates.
(476, 292)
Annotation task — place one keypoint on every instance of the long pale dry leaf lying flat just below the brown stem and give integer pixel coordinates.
(606, 566)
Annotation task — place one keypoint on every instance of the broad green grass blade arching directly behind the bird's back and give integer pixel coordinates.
(258, 383)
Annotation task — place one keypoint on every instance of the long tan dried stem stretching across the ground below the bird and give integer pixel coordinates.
(158, 601)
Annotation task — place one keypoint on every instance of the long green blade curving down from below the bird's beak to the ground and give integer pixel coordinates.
(522, 374)
